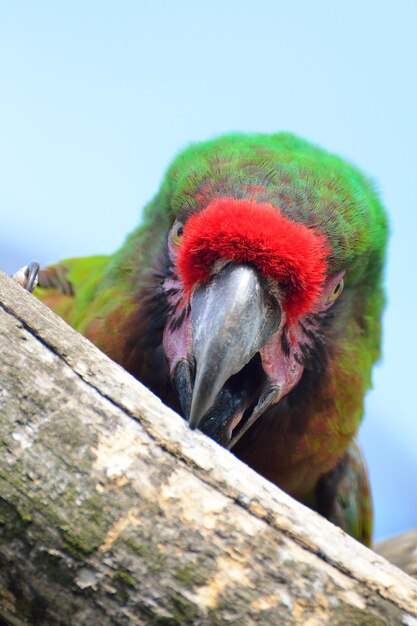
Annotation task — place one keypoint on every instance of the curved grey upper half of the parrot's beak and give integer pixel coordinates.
(233, 317)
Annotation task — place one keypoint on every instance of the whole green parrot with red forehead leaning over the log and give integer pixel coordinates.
(250, 301)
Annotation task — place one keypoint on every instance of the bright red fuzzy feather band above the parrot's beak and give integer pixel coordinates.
(245, 231)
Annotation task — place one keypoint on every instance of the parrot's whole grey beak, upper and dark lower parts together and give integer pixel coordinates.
(233, 317)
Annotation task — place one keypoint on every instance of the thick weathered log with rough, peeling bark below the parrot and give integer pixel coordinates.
(113, 512)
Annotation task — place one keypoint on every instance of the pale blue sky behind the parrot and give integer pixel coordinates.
(97, 97)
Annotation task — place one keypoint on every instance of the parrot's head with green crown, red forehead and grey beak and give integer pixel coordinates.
(267, 293)
